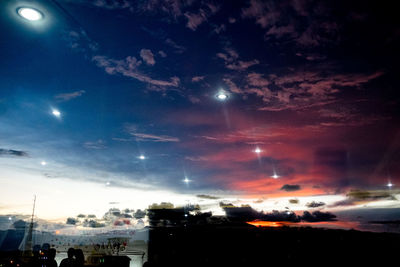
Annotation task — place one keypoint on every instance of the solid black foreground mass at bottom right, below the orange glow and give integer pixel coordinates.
(246, 245)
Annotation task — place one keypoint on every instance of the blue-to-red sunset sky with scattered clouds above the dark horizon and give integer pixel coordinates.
(311, 110)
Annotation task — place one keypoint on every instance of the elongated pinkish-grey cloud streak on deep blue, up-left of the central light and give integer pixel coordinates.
(128, 67)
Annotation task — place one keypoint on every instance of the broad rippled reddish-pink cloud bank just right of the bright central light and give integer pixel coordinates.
(298, 90)
